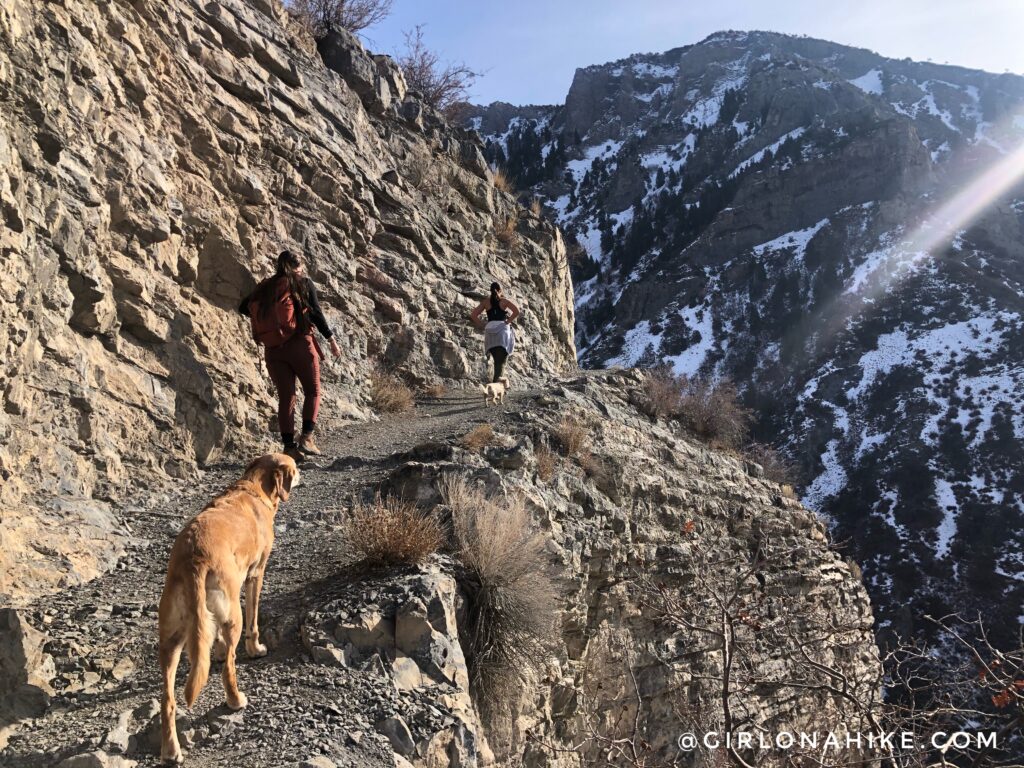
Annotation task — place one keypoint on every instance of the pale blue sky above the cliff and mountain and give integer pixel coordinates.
(530, 50)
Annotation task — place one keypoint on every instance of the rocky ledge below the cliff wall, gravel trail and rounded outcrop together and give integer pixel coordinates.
(686, 586)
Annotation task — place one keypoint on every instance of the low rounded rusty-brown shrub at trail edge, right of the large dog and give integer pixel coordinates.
(393, 532)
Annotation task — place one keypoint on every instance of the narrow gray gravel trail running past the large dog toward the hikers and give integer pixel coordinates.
(103, 634)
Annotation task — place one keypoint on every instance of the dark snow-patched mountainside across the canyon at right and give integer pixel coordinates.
(843, 236)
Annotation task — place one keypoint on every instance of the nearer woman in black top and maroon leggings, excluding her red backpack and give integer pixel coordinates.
(300, 357)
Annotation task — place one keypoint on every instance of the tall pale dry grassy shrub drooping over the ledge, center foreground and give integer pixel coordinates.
(513, 602)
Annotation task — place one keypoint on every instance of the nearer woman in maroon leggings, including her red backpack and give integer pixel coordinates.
(281, 309)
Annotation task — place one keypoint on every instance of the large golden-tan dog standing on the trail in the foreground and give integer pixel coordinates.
(226, 545)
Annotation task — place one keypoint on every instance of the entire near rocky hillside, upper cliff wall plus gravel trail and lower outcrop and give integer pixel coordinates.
(156, 155)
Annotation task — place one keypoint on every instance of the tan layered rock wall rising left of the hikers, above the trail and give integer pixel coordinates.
(154, 158)
